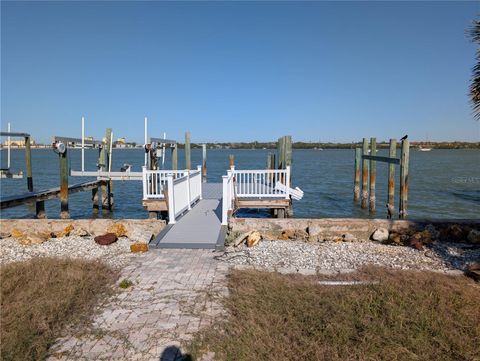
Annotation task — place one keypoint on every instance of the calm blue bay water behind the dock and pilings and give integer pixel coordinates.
(443, 183)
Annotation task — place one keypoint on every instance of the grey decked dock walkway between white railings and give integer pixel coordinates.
(199, 228)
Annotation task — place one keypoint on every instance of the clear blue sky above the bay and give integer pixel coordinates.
(239, 71)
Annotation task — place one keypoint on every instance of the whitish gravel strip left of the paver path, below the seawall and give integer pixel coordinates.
(116, 255)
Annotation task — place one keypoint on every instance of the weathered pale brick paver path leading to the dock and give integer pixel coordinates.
(175, 292)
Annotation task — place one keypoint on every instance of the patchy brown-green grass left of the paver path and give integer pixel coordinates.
(41, 297)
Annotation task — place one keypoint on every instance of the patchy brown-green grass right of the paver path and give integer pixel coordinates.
(405, 316)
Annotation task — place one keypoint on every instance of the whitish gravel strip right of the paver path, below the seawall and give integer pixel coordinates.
(338, 256)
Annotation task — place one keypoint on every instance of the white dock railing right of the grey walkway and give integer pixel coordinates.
(253, 184)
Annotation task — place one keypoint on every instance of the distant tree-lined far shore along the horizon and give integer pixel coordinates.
(295, 145)
